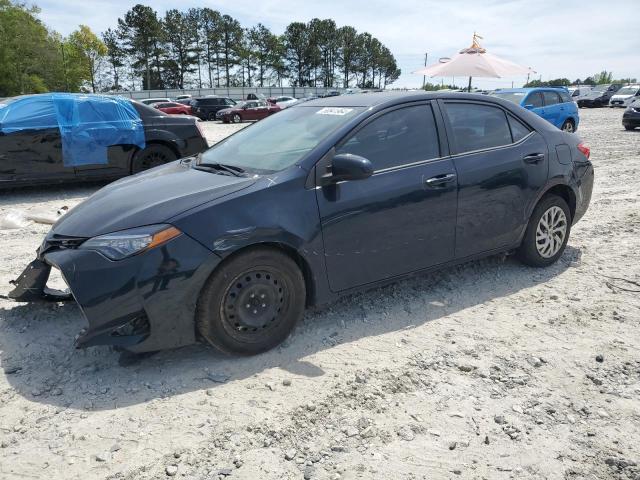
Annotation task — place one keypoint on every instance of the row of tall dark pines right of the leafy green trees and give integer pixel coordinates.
(201, 47)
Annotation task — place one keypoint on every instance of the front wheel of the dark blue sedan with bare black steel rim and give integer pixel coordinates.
(252, 302)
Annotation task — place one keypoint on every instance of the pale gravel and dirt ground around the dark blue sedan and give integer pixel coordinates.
(488, 370)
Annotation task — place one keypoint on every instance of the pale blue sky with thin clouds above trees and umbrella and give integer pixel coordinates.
(567, 38)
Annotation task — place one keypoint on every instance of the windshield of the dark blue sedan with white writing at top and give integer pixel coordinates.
(280, 140)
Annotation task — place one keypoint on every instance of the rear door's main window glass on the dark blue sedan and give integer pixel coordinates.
(476, 127)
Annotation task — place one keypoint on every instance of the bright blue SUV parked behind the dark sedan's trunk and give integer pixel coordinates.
(552, 104)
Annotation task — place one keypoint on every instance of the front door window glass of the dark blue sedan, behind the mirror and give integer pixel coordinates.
(396, 138)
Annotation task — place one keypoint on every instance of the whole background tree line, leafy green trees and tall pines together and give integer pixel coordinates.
(194, 48)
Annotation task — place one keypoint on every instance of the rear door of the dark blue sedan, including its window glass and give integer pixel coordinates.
(501, 164)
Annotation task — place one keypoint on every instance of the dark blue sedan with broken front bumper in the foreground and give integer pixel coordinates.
(325, 198)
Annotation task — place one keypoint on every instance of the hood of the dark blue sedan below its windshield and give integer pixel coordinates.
(147, 198)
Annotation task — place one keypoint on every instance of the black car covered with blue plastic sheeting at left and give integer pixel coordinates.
(53, 138)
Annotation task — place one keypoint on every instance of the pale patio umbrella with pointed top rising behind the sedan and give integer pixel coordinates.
(475, 62)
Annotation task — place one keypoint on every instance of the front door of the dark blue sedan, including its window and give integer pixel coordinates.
(402, 218)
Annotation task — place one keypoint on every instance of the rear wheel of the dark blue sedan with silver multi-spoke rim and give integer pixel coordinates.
(549, 249)
